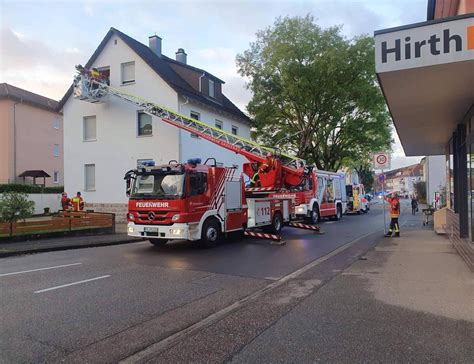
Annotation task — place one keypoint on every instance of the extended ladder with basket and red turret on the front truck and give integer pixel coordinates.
(286, 171)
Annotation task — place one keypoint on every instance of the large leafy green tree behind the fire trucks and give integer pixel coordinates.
(316, 90)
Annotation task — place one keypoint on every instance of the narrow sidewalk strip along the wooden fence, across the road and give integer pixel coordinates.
(62, 243)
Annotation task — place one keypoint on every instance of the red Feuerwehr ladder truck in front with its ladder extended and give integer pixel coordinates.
(202, 201)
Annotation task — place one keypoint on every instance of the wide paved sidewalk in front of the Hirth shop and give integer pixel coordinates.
(408, 300)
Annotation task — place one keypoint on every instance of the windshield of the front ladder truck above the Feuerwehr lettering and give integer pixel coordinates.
(162, 185)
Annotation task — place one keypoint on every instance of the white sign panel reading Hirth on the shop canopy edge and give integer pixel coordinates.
(424, 44)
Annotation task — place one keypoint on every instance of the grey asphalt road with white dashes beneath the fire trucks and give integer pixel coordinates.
(104, 304)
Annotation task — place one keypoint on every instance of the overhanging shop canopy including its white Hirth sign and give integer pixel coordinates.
(426, 71)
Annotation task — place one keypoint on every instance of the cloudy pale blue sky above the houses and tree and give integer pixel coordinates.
(41, 41)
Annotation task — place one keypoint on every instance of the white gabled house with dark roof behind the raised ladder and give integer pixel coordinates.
(103, 141)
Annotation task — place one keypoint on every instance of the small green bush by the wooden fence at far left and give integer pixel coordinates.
(15, 206)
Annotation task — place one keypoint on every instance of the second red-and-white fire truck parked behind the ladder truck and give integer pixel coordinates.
(327, 199)
